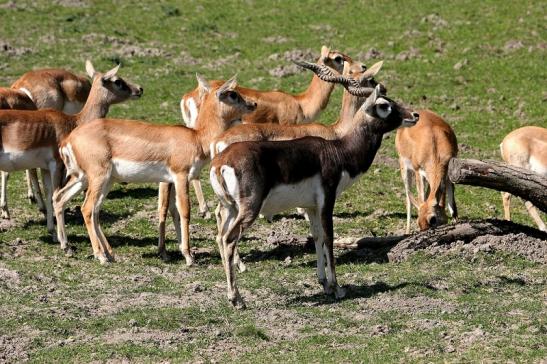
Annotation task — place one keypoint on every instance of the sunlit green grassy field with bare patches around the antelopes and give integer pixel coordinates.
(480, 64)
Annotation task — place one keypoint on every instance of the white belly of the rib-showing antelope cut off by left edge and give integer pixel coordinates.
(15, 160)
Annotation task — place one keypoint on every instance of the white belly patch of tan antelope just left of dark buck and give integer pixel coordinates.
(140, 172)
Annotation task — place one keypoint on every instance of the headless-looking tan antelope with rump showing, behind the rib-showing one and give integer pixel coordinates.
(48, 89)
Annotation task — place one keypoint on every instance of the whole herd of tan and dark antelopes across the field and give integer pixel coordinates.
(266, 153)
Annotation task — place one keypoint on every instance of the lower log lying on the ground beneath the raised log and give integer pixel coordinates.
(462, 231)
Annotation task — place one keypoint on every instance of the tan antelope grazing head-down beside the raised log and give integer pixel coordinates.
(425, 150)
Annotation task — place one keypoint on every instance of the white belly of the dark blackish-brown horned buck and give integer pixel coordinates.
(306, 193)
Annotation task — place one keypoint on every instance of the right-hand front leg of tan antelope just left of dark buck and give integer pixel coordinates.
(183, 208)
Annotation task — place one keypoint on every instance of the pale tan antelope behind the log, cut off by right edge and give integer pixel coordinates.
(526, 148)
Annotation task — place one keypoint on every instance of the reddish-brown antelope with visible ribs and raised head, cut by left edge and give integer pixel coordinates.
(30, 139)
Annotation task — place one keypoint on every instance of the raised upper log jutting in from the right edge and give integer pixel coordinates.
(517, 181)
